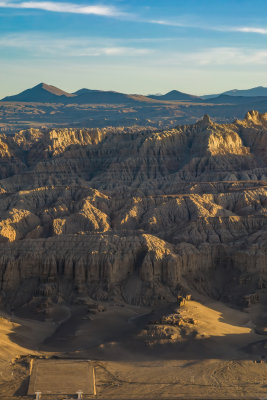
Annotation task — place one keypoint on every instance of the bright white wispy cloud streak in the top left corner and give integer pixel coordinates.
(108, 11)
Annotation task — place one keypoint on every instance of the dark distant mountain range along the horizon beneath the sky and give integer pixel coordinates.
(44, 93)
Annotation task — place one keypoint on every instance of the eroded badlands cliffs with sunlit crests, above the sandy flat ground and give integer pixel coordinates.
(138, 214)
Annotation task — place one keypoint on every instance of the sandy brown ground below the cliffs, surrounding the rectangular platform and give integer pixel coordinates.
(203, 349)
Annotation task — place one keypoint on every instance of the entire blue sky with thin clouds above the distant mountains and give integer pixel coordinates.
(133, 46)
